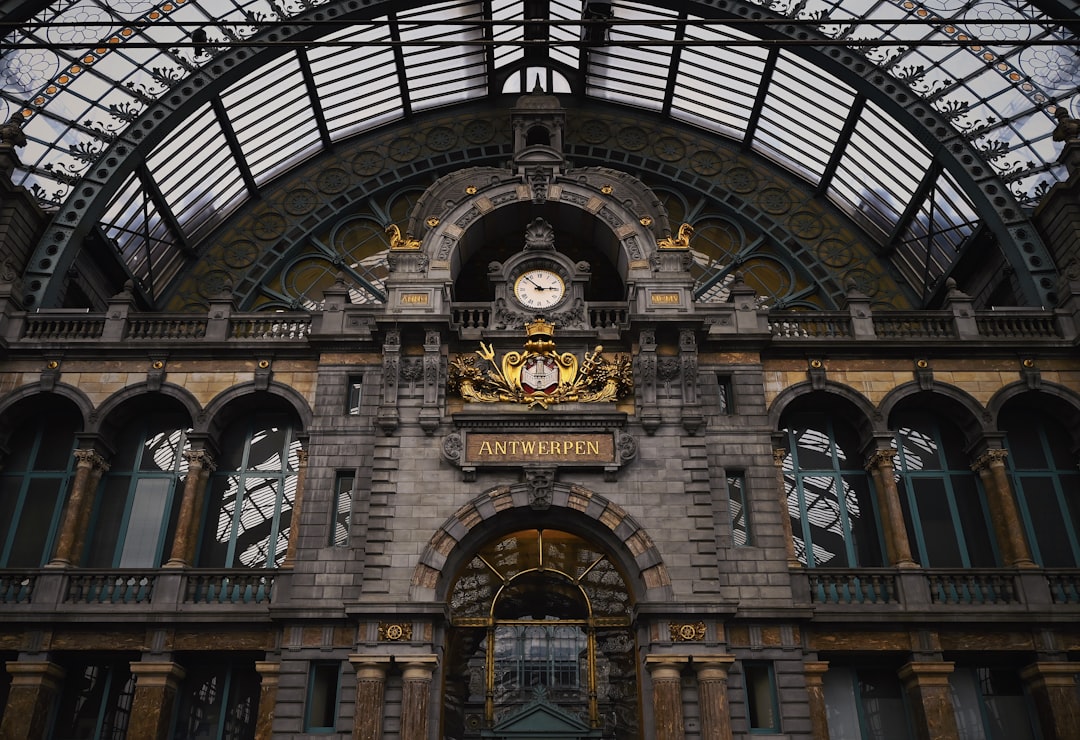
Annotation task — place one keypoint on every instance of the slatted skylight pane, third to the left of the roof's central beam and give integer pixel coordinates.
(268, 109)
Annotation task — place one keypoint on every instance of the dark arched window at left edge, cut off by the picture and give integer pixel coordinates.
(35, 480)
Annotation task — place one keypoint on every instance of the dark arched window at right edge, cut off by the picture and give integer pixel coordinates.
(1047, 483)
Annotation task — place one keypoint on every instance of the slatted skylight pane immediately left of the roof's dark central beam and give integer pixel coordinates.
(452, 71)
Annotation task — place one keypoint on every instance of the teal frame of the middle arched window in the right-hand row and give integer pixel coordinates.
(908, 477)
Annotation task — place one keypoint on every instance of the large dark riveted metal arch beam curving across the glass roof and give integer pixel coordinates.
(993, 198)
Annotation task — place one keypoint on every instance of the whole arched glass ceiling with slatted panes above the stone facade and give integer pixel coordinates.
(82, 73)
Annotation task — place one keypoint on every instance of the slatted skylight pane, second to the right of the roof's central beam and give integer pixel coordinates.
(715, 87)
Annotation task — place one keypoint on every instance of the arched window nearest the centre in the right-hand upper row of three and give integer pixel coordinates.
(830, 497)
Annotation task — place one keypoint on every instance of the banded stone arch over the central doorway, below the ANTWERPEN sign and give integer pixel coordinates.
(573, 508)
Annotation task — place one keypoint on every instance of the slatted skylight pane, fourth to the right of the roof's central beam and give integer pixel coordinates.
(880, 171)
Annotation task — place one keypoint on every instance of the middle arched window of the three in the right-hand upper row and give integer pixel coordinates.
(944, 507)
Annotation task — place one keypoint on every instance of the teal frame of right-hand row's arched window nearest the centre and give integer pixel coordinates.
(800, 479)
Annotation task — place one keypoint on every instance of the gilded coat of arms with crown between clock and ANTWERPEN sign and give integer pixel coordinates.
(541, 376)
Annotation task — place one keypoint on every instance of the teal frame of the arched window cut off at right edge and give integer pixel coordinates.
(1061, 480)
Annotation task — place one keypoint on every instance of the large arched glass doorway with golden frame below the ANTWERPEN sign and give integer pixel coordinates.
(541, 643)
